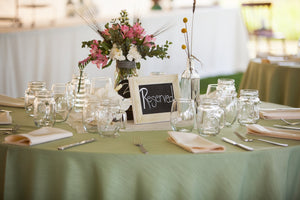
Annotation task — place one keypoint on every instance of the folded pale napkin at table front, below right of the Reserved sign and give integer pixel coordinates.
(194, 143)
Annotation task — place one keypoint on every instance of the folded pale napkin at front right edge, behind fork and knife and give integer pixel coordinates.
(273, 132)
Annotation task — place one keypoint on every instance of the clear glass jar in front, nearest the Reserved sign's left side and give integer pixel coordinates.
(109, 119)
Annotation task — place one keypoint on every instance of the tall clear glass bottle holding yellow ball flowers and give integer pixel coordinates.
(190, 82)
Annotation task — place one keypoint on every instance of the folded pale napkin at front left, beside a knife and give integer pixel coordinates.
(42, 135)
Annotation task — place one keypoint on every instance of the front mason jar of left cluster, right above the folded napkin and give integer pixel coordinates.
(44, 109)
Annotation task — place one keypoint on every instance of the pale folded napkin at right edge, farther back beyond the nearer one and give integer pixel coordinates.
(288, 113)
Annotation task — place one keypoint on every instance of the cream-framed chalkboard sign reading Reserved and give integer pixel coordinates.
(152, 97)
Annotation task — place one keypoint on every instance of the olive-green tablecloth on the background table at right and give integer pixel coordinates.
(276, 83)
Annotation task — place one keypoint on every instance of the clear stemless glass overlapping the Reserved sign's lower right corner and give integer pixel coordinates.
(183, 115)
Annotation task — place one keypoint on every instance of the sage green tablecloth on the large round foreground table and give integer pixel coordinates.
(113, 168)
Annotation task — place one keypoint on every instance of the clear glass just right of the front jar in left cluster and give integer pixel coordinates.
(62, 105)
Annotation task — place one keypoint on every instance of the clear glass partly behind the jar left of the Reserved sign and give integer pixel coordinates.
(89, 115)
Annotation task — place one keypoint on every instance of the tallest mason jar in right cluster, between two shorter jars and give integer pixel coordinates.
(227, 98)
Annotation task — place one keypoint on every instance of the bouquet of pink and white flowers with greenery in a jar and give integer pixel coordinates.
(124, 43)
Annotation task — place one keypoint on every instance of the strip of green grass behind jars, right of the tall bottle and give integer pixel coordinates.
(210, 80)
